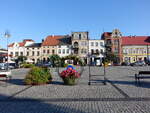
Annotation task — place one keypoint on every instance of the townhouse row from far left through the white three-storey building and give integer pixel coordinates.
(78, 43)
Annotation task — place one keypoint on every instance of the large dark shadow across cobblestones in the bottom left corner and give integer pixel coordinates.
(26, 105)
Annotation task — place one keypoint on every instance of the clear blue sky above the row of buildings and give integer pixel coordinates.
(38, 18)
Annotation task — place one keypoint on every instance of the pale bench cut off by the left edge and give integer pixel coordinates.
(6, 75)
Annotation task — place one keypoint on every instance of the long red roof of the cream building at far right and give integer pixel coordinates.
(136, 40)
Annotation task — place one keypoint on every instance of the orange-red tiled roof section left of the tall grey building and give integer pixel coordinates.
(51, 40)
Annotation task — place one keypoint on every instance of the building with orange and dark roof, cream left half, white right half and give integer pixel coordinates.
(60, 45)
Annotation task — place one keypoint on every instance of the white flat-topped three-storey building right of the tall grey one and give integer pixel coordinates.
(96, 50)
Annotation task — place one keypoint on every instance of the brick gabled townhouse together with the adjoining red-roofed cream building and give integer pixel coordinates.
(127, 48)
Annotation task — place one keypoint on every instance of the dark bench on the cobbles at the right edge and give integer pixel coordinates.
(142, 75)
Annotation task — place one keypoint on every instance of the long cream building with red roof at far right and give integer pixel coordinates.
(136, 48)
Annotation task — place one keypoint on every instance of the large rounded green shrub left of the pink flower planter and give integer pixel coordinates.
(38, 75)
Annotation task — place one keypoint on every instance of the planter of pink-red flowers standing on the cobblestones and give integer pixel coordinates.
(70, 76)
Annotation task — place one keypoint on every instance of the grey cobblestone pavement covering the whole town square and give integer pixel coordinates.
(120, 95)
